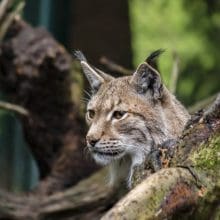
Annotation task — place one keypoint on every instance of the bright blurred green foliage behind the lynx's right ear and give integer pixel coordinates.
(190, 28)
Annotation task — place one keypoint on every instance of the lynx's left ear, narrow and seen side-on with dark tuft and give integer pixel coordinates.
(95, 77)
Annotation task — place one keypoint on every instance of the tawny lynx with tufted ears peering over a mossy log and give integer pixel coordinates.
(129, 115)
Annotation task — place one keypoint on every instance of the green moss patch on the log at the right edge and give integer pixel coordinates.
(207, 155)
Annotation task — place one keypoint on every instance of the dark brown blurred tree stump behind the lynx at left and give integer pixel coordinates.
(37, 74)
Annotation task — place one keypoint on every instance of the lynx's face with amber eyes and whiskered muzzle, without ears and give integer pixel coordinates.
(117, 127)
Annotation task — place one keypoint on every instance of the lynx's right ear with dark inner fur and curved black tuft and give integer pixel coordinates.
(147, 79)
